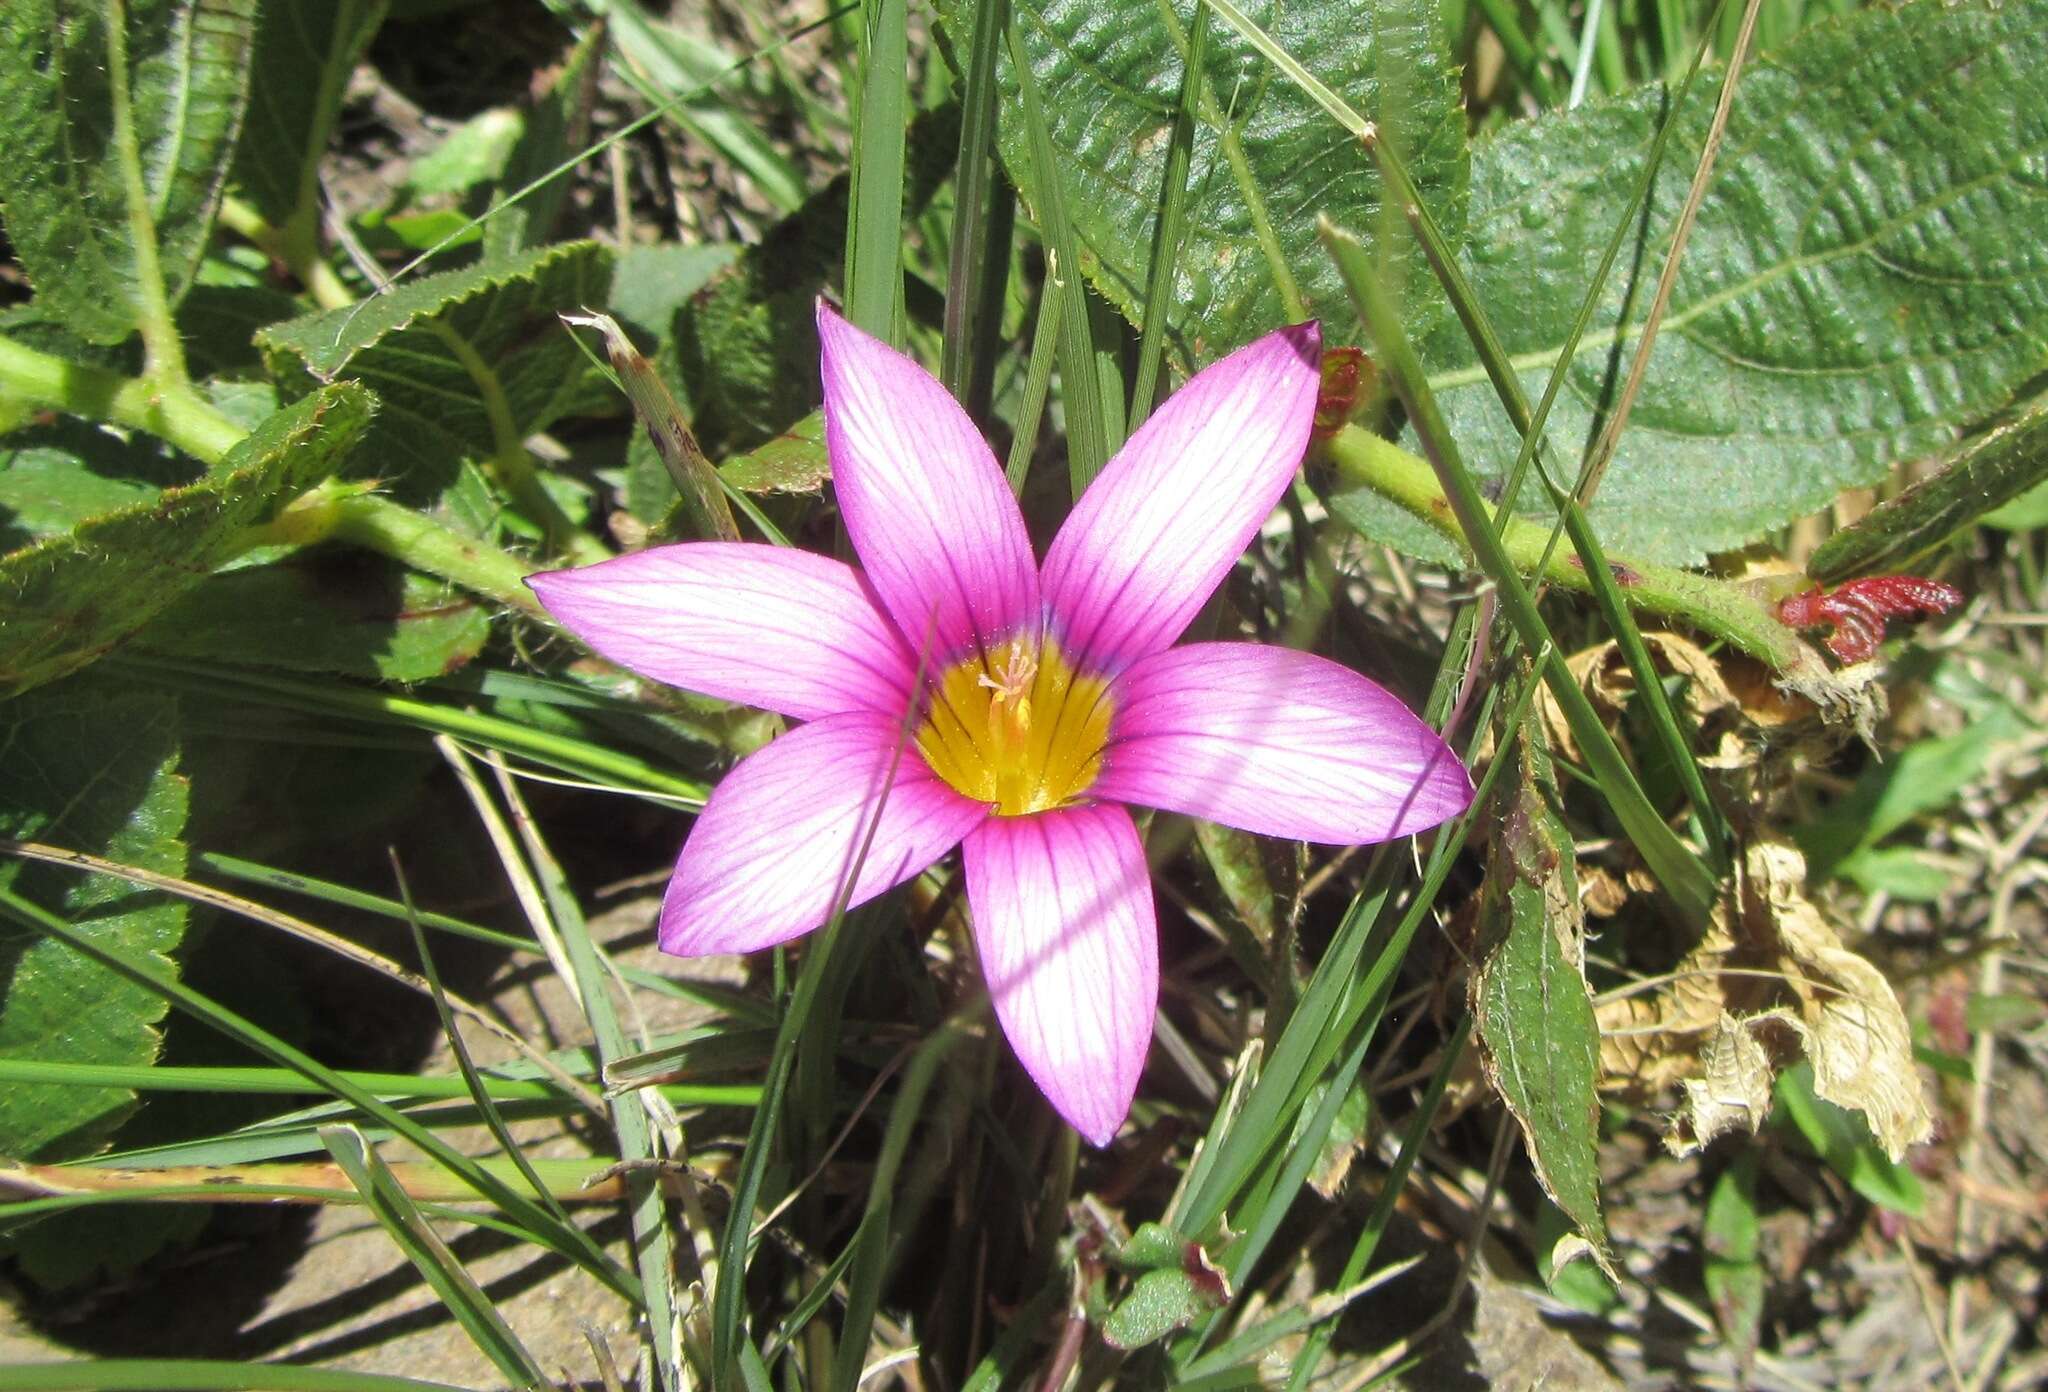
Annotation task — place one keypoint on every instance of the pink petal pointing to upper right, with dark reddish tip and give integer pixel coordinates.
(1154, 537)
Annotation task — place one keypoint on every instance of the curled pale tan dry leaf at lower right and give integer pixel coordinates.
(1770, 980)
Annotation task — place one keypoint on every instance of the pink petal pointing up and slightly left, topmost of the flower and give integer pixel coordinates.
(927, 509)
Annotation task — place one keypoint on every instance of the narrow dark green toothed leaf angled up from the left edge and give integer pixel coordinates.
(73, 597)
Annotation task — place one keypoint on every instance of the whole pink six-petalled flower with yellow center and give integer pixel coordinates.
(1052, 697)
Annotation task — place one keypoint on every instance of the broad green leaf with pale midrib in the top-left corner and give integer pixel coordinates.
(71, 212)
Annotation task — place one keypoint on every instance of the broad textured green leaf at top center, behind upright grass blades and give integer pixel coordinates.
(1111, 75)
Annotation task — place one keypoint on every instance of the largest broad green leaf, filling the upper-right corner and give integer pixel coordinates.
(1867, 273)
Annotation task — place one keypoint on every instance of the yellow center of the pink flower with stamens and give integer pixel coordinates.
(1017, 728)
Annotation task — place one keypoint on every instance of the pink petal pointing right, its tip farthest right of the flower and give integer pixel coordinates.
(1277, 742)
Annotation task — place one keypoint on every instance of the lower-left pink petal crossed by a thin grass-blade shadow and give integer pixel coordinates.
(777, 838)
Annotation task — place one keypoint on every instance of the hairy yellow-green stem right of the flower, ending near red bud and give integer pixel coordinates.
(1715, 607)
